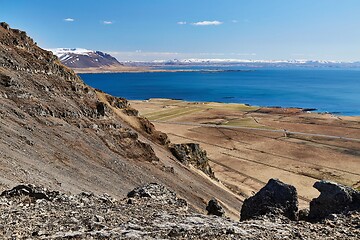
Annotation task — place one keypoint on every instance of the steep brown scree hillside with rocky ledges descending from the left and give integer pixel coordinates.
(57, 132)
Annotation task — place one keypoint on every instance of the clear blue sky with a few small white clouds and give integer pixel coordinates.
(178, 29)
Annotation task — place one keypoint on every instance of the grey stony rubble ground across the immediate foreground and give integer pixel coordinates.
(149, 212)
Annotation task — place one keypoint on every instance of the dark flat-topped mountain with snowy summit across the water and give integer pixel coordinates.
(83, 58)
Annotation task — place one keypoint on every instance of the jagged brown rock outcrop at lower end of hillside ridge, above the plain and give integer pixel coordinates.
(191, 153)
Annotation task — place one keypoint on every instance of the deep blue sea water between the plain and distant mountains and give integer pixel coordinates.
(335, 91)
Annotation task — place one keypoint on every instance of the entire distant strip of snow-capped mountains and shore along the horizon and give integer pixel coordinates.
(81, 59)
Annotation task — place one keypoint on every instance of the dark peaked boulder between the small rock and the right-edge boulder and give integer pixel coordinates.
(275, 198)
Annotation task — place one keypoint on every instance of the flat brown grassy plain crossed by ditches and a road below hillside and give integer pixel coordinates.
(247, 145)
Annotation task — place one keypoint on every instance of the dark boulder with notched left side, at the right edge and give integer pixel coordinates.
(334, 199)
